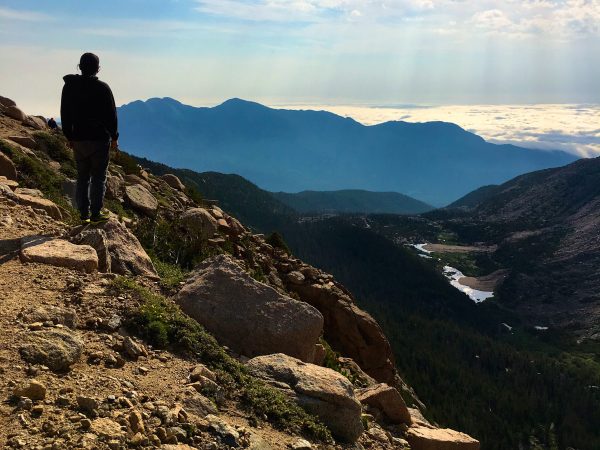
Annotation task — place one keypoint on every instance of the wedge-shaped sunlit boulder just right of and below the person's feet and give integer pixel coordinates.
(127, 256)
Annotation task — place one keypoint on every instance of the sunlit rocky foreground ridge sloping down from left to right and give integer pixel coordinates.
(78, 375)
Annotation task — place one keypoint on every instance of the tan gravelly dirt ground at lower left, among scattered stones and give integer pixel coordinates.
(158, 378)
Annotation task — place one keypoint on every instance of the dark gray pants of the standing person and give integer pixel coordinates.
(92, 162)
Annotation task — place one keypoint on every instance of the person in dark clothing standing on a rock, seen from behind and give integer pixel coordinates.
(89, 122)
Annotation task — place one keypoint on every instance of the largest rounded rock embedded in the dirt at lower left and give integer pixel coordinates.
(56, 349)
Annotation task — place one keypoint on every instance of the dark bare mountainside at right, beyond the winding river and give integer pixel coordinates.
(545, 225)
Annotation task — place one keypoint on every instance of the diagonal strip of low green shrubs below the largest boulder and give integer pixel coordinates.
(164, 325)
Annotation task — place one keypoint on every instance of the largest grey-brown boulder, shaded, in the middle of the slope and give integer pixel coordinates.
(246, 315)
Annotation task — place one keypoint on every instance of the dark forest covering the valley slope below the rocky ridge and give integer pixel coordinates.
(509, 390)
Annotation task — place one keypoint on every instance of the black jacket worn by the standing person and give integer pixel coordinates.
(87, 109)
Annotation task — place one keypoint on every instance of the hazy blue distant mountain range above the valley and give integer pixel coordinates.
(291, 151)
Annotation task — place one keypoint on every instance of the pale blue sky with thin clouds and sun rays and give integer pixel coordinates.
(311, 52)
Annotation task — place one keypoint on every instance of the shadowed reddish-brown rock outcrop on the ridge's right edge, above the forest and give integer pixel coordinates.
(350, 330)
